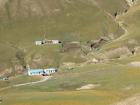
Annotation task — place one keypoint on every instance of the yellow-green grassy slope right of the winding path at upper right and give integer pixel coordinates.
(132, 24)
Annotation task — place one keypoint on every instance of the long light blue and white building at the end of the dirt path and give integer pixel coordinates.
(44, 72)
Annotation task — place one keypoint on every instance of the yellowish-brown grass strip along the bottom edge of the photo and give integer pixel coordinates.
(62, 98)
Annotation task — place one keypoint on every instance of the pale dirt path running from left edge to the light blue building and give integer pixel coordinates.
(29, 83)
